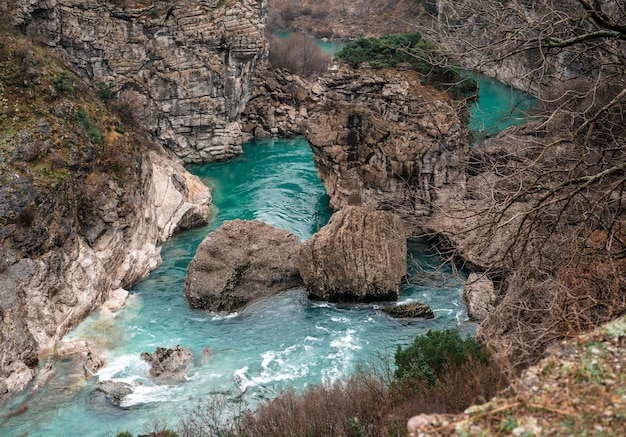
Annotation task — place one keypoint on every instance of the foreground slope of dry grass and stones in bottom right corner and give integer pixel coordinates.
(579, 389)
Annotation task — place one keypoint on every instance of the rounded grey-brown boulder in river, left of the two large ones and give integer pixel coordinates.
(241, 262)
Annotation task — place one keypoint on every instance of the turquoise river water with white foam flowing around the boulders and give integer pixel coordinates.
(285, 341)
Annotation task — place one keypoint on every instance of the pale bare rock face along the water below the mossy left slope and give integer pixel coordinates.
(44, 295)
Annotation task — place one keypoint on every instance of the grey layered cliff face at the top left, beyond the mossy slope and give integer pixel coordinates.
(190, 63)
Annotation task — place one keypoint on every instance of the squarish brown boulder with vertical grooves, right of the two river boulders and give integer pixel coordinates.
(359, 256)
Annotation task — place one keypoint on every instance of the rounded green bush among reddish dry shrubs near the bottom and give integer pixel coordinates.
(432, 354)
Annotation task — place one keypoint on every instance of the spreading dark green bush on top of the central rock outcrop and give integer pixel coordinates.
(437, 67)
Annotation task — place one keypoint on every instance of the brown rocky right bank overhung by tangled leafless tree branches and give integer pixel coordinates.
(547, 201)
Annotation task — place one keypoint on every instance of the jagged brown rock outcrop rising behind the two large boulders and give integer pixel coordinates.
(381, 139)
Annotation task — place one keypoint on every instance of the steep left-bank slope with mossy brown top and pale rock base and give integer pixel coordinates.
(84, 201)
